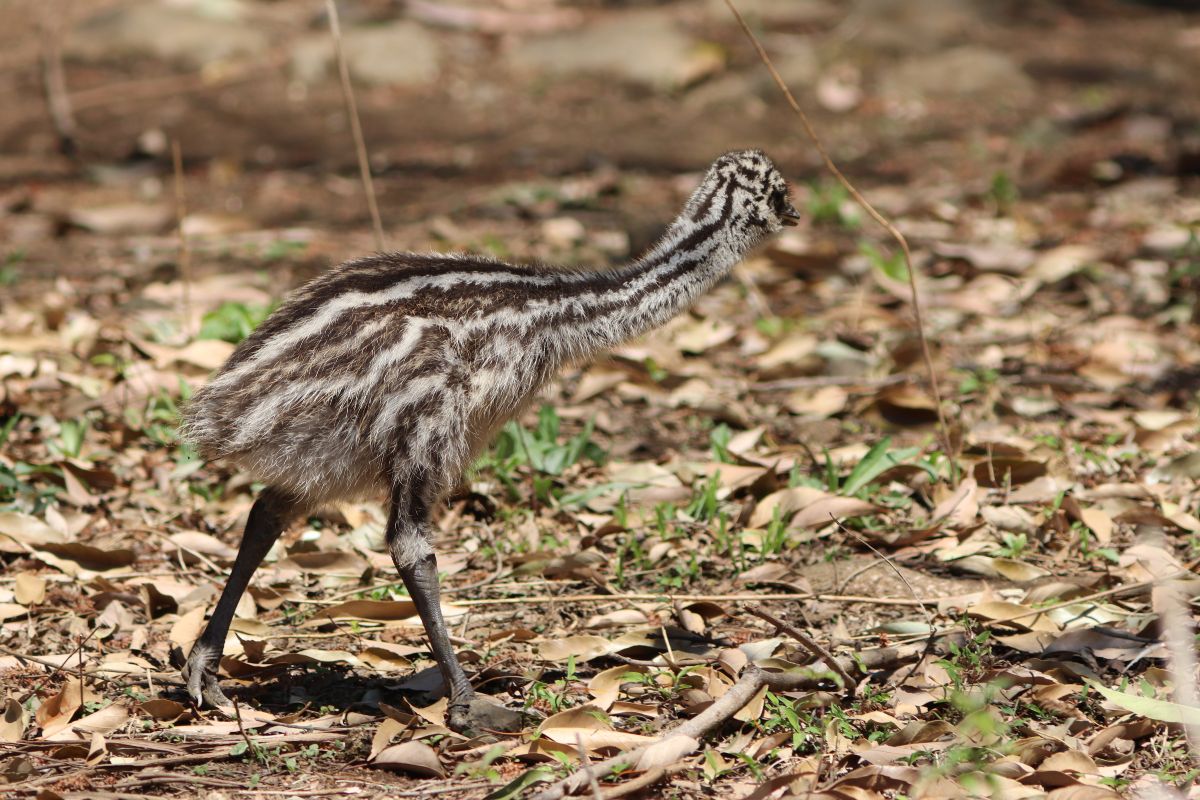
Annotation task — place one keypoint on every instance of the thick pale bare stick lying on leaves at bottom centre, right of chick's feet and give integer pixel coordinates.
(685, 739)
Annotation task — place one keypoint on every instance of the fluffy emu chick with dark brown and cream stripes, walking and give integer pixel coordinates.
(393, 372)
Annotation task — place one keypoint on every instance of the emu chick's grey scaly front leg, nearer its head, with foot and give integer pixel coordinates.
(469, 713)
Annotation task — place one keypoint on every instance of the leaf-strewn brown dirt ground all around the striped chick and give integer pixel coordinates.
(1043, 159)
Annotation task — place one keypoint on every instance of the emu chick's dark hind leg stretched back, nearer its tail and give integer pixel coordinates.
(269, 516)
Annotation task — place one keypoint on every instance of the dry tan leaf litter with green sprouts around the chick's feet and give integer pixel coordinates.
(1003, 633)
